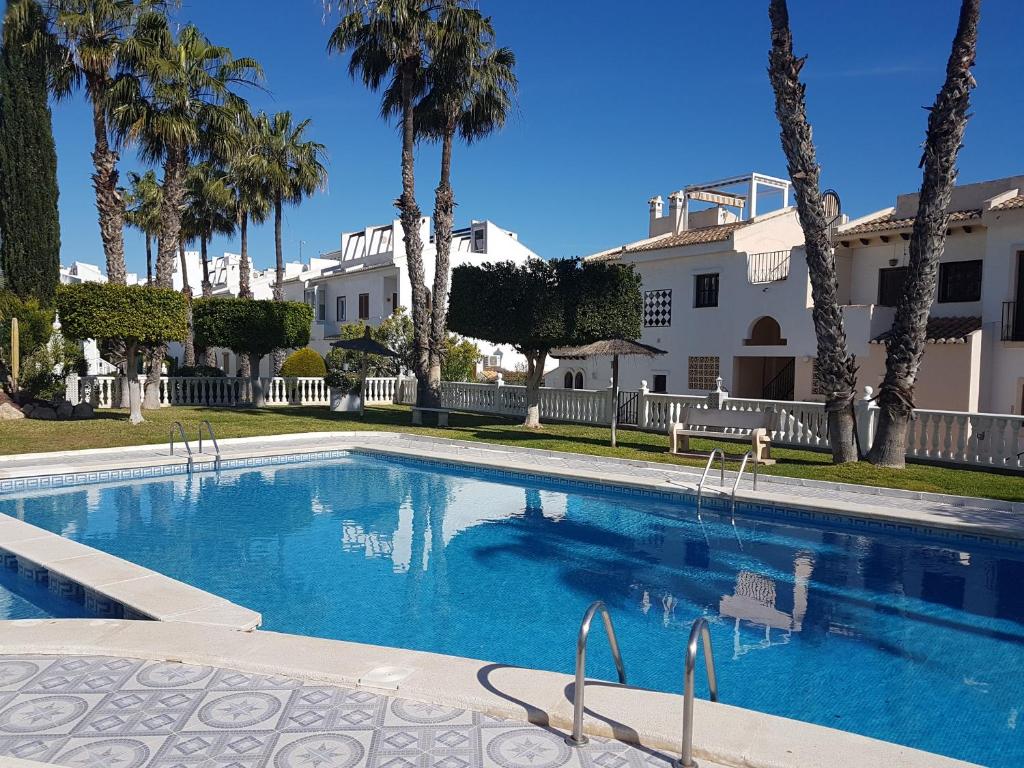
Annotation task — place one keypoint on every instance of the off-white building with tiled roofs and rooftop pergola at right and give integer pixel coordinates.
(729, 295)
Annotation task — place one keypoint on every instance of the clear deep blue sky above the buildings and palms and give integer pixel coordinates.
(615, 107)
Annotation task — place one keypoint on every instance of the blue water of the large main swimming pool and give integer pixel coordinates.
(909, 639)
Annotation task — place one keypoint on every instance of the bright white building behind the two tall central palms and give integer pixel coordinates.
(367, 279)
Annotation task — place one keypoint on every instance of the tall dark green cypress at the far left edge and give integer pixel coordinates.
(30, 229)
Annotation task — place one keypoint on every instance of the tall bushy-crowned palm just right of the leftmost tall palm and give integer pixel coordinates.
(178, 101)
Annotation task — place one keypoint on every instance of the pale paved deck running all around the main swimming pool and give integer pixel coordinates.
(222, 636)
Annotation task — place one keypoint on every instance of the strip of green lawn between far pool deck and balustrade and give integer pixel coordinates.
(111, 429)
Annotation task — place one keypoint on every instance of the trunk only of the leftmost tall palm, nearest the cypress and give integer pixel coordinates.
(110, 204)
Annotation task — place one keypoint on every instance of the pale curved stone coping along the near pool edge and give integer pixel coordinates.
(723, 736)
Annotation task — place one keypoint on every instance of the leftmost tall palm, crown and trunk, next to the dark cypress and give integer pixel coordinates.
(86, 42)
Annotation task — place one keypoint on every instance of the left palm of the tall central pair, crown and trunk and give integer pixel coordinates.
(389, 40)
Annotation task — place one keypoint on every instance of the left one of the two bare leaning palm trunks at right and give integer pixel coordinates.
(837, 367)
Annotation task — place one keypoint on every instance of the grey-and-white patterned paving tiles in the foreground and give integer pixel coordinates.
(117, 713)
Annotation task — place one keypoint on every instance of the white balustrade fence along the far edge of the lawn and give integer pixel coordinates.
(951, 437)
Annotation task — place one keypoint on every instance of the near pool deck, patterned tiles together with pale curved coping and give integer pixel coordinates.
(302, 688)
